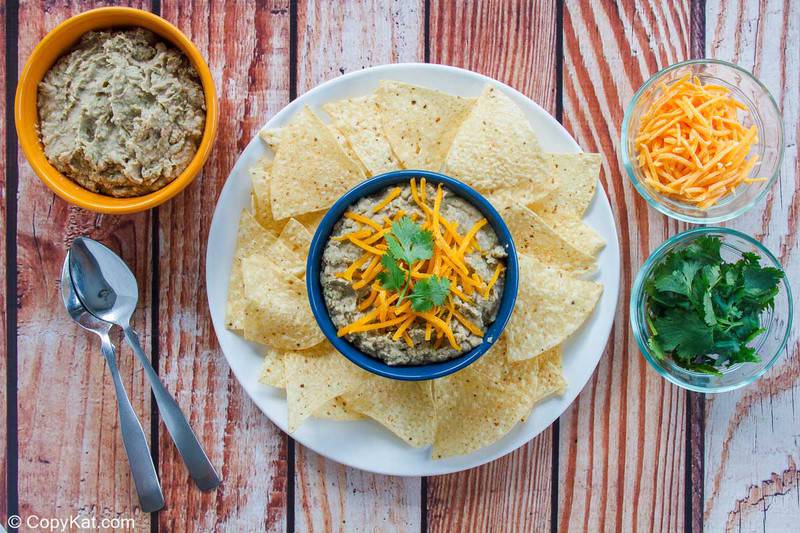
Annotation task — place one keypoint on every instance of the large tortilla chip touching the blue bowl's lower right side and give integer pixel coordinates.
(551, 306)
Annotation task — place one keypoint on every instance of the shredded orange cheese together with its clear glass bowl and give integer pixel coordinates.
(702, 141)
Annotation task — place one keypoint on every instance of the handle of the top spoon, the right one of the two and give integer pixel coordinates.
(189, 447)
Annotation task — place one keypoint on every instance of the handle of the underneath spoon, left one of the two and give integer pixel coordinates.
(142, 468)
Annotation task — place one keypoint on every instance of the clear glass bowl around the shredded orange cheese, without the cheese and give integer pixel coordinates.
(763, 113)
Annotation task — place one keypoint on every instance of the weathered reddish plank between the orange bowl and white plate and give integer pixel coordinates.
(246, 45)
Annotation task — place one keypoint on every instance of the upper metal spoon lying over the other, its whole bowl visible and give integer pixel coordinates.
(107, 288)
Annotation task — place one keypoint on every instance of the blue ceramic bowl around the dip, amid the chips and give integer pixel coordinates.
(317, 300)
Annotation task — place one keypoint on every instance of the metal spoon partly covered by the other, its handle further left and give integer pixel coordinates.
(142, 468)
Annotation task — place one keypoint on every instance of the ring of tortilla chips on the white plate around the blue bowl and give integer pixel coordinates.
(486, 142)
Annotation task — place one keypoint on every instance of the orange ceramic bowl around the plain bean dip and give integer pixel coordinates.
(57, 43)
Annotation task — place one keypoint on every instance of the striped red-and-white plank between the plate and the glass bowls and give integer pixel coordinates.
(622, 445)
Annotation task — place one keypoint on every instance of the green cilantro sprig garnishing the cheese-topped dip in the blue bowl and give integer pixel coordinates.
(407, 244)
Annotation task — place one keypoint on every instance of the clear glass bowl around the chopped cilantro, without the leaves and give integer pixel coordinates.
(777, 322)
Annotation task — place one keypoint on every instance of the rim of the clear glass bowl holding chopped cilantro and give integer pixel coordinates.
(638, 287)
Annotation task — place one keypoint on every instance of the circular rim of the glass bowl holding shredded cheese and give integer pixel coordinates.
(654, 201)
